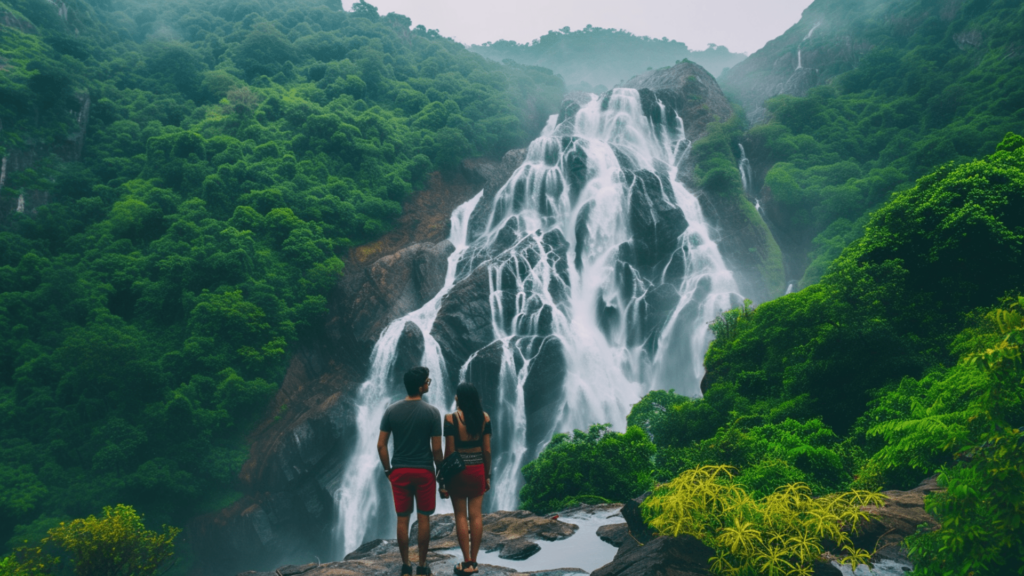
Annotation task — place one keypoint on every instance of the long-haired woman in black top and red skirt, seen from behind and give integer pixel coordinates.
(468, 432)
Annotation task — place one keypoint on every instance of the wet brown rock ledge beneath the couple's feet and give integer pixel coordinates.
(515, 534)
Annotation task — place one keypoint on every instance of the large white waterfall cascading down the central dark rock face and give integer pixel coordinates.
(603, 277)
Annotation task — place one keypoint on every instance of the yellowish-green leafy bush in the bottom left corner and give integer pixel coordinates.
(117, 545)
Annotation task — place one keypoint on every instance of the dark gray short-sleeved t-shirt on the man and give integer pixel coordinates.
(412, 424)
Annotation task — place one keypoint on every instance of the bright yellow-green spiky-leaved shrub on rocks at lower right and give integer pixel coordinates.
(781, 534)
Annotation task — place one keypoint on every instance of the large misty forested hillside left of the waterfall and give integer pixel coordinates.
(151, 293)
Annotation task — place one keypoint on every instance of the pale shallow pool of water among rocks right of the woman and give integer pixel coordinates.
(583, 550)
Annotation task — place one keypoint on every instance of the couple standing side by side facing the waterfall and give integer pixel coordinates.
(417, 430)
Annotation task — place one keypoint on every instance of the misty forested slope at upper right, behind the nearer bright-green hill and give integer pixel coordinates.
(941, 84)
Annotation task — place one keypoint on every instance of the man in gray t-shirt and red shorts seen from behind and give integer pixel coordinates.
(417, 430)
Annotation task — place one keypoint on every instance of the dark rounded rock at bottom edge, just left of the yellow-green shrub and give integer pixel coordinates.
(666, 556)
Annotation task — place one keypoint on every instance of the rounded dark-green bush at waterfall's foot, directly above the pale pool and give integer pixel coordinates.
(599, 465)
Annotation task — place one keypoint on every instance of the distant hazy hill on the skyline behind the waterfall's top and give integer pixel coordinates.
(599, 59)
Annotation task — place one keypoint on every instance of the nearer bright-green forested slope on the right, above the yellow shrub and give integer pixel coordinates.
(904, 362)
